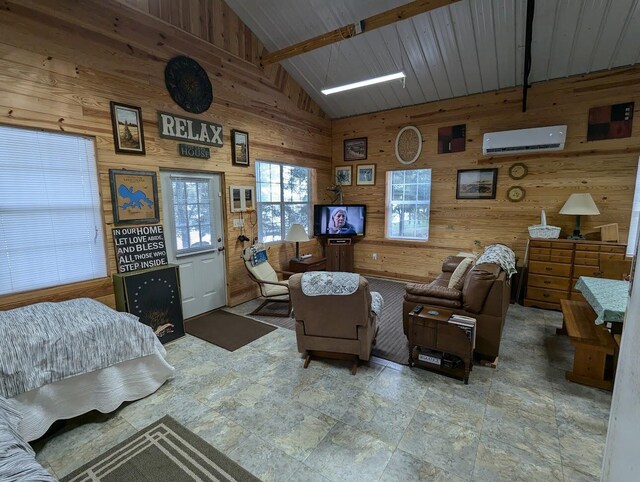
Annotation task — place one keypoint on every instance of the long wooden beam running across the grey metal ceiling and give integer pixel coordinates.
(371, 23)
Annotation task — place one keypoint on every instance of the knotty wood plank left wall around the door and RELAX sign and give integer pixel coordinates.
(62, 62)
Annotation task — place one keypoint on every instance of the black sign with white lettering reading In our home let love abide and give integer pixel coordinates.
(139, 247)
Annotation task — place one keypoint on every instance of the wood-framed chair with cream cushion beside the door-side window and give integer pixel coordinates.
(273, 289)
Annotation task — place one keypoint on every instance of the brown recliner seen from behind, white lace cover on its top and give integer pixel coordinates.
(335, 325)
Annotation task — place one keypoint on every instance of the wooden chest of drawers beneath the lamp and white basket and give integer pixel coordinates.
(556, 264)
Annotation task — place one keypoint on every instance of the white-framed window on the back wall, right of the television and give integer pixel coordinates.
(408, 204)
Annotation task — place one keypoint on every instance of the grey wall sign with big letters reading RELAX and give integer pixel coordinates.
(180, 128)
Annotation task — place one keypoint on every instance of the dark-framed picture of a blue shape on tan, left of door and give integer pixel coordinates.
(134, 196)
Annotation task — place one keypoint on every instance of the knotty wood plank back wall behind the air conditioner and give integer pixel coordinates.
(605, 169)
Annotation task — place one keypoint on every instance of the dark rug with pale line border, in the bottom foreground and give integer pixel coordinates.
(163, 451)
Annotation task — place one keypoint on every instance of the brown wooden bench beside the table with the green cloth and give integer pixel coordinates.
(593, 363)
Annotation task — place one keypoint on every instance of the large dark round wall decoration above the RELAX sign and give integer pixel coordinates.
(188, 84)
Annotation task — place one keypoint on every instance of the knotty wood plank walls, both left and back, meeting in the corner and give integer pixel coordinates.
(62, 62)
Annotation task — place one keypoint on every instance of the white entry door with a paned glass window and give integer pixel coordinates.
(195, 240)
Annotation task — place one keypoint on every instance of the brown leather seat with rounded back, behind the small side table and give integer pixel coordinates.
(483, 296)
